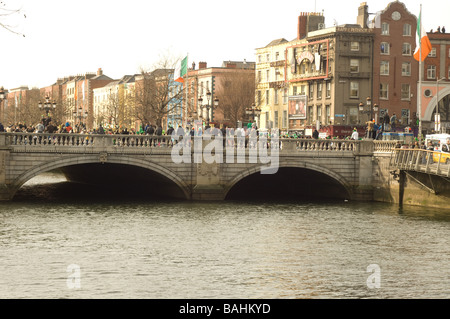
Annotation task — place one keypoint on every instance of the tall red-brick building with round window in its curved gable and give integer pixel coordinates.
(395, 71)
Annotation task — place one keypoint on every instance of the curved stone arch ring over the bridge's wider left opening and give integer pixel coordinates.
(81, 160)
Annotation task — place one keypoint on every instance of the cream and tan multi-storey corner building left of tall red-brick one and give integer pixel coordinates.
(328, 69)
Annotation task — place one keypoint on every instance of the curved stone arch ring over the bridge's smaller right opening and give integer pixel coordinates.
(300, 165)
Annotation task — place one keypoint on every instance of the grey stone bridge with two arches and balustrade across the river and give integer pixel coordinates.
(348, 165)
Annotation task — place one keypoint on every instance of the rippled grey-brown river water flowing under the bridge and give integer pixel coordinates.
(56, 241)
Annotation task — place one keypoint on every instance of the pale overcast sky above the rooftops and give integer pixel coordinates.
(65, 38)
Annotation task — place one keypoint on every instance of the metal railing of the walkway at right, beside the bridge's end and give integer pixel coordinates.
(420, 160)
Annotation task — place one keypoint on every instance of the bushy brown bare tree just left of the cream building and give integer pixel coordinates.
(236, 92)
